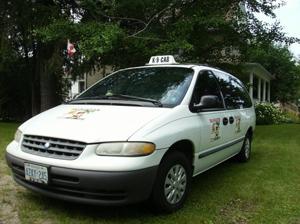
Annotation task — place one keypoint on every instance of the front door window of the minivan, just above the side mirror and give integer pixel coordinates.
(206, 85)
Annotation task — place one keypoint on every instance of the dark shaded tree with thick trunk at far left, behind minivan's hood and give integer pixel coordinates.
(20, 19)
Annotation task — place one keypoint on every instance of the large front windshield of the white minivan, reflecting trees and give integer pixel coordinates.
(164, 85)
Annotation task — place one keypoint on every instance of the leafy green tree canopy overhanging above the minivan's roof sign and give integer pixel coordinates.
(202, 31)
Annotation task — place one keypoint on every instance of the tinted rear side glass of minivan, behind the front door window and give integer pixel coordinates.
(234, 93)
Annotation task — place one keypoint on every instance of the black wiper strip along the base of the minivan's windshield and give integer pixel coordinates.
(119, 96)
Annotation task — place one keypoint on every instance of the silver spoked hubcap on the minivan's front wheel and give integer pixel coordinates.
(175, 184)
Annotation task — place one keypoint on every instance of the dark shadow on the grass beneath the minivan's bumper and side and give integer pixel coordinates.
(206, 183)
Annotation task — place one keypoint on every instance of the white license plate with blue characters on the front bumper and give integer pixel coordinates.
(36, 173)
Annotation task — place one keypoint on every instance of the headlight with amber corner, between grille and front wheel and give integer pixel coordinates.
(125, 149)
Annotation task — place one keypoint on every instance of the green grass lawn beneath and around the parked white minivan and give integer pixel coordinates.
(265, 190)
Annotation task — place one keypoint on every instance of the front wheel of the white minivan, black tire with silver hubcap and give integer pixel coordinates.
(172, 182)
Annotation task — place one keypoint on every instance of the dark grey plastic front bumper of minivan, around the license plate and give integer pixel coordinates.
(92, 187)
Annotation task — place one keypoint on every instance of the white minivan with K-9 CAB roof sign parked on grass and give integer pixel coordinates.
(140, 133)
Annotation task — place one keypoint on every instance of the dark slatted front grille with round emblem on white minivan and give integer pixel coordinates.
(52, 147)
